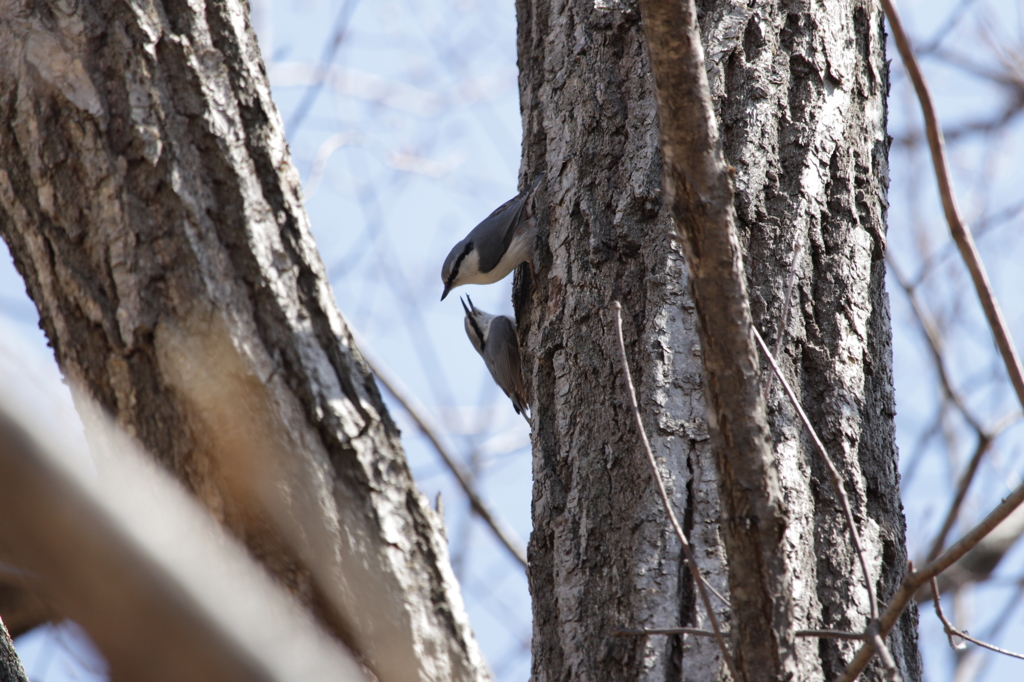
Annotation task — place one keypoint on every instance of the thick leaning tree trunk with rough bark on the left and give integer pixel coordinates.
(149, 201)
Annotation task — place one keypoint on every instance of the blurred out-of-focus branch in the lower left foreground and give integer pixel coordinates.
(157, 584)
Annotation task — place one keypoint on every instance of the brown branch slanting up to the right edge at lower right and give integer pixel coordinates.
(914, 580)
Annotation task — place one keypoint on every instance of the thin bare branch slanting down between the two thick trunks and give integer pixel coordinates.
(419, 414)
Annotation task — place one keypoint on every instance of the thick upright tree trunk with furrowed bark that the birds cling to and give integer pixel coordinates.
(800, 93)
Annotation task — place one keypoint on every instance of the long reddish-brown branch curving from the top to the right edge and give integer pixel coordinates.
(961, 234)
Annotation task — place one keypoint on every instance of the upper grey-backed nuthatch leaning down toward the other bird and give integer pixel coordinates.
(496, 247)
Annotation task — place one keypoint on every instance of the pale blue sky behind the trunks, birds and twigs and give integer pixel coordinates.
(413, 137)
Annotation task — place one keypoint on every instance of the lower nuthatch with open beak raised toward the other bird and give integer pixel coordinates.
(497, 342)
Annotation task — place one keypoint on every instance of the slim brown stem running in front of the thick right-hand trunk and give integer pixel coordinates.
(699, 192)
